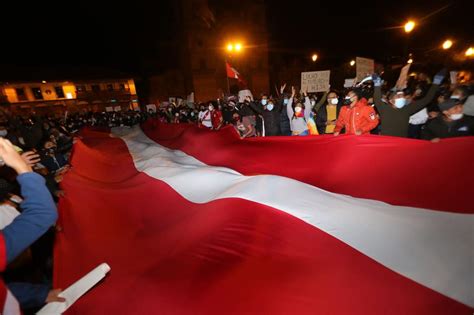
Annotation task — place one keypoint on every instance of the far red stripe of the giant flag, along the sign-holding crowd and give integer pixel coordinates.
(394, 170)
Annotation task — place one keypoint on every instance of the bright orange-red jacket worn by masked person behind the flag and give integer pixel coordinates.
(361, 117)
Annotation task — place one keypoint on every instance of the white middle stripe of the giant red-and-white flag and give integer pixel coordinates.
(433, 248)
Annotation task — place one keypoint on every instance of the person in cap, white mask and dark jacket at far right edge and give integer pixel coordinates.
(452, 123)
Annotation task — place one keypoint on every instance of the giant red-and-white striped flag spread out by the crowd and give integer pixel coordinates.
(199, 222)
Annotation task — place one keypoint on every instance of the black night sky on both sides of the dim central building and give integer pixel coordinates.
(124, 37)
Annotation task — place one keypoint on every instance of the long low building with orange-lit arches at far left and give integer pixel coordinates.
(58, 96)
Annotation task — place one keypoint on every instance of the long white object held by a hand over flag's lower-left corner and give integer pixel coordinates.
(75, 291)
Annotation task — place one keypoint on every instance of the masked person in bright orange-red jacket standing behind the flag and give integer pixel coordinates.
(358, 118)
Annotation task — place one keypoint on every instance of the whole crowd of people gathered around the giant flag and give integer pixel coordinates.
(36, 150)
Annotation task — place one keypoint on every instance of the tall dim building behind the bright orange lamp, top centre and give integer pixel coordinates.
(205, 29)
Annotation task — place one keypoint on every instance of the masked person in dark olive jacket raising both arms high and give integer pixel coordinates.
(396, 114)
